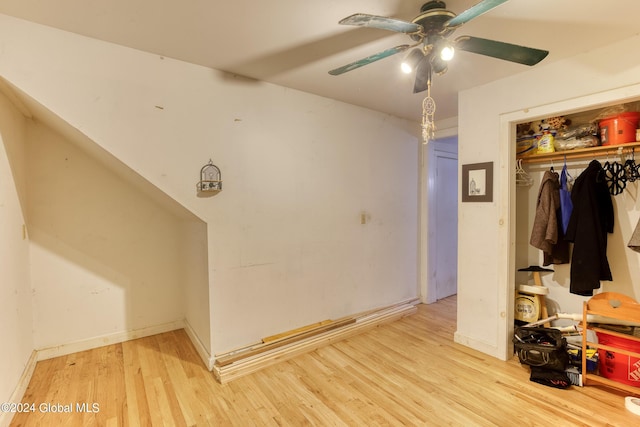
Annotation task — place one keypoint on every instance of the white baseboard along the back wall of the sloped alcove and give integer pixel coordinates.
(102, 340)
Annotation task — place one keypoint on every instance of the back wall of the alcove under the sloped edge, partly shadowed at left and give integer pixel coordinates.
(104, 258)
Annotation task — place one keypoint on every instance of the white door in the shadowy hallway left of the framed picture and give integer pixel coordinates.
(444, 248)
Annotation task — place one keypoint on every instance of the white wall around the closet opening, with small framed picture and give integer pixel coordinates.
(487, 230)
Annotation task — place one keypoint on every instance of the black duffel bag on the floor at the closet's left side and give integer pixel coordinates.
(541, 347)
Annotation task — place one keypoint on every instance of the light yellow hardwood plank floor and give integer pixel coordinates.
(409, 372)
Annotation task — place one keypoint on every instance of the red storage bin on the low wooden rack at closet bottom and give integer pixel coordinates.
(619, 367)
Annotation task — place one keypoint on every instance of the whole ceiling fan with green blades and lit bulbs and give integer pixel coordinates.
(431, 48)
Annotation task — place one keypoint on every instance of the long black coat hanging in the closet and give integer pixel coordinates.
(591, 220)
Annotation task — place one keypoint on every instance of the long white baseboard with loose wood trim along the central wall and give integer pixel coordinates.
(267, 358)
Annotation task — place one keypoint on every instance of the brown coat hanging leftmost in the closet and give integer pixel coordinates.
(547, 234)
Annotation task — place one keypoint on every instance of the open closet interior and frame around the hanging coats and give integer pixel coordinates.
(527, 171)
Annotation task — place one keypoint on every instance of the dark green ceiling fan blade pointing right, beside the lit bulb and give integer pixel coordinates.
(501, 50)
